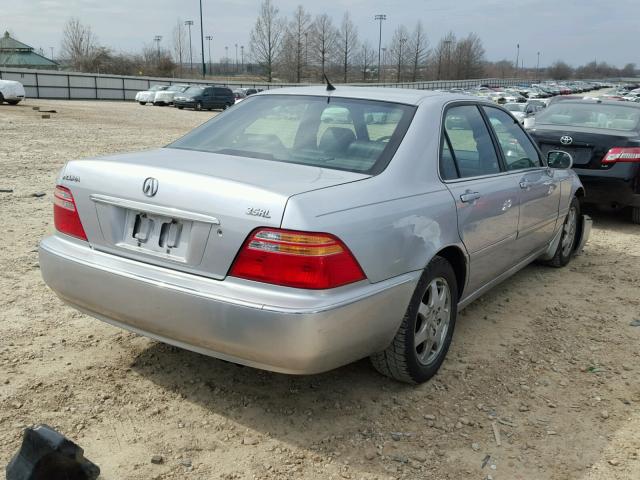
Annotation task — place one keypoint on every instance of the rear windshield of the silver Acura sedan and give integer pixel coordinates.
(330, 132)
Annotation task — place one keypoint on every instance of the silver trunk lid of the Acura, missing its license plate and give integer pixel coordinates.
(186, 210)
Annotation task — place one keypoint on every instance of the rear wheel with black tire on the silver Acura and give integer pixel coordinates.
(431, 315)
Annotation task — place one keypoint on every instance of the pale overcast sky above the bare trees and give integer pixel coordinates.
(577, 31)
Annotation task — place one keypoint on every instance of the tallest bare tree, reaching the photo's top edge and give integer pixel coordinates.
(266, 38)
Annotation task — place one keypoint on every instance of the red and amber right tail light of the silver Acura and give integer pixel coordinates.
(296, 259)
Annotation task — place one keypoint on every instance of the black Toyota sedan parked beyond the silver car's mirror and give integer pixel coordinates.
(604, 139)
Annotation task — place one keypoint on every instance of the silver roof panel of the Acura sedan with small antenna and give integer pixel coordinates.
(395, 95)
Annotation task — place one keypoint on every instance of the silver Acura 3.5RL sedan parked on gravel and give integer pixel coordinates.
(304, 229)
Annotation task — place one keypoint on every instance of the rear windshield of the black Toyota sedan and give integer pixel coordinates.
(594, 115)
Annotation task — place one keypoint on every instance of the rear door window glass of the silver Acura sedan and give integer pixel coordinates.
(473, 149)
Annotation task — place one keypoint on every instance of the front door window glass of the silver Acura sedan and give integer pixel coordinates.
(517, 149)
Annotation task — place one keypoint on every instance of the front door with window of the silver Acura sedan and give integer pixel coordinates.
(539, 185)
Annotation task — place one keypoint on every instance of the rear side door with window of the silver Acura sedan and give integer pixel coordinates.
(486, 198)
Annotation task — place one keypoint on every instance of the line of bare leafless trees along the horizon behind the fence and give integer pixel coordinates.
(304, 48)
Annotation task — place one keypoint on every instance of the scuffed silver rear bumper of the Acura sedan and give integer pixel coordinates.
(273, 328)
